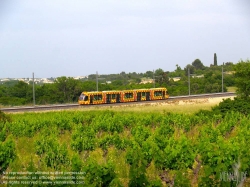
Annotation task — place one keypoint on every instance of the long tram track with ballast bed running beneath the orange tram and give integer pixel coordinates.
(77, 106)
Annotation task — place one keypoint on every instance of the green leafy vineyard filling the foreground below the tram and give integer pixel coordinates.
(114, 148)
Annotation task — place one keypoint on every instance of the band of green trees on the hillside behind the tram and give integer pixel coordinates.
(67, 90)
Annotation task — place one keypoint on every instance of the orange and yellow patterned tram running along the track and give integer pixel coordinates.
(106, 97)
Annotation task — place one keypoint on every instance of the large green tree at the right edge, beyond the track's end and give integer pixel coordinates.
(242, 81)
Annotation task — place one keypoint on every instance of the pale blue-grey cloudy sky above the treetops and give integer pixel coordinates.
(55, 38)
